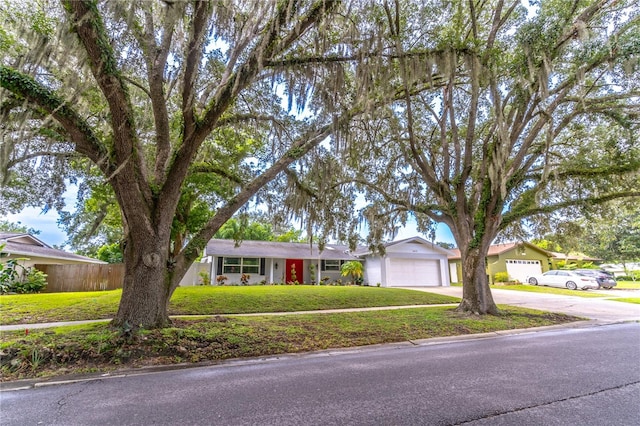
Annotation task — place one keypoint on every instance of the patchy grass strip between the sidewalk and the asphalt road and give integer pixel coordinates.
(97, 348)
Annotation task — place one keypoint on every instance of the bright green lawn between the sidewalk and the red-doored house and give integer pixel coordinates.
(210, 300)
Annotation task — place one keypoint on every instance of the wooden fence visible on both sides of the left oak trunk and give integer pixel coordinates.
(97, 277)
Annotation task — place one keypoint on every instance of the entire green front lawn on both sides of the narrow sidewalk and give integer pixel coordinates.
(99, 348)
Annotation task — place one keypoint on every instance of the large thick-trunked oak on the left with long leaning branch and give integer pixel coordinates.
(149, 92)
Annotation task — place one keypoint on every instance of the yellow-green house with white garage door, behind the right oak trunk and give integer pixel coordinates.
(519, 260)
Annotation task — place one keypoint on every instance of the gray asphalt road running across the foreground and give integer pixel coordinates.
(589, 375)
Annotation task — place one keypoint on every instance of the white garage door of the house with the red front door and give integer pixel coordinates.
(413, 273)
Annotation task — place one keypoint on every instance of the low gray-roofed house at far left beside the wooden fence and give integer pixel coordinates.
(35, 252)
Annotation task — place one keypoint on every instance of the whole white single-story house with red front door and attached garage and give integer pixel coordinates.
(410, 262)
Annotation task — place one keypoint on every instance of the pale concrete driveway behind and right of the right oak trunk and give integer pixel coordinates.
(601, 310)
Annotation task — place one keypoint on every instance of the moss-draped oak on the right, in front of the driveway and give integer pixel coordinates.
(507, 115)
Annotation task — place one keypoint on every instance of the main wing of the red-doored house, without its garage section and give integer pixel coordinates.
(275, 262)
